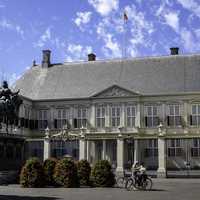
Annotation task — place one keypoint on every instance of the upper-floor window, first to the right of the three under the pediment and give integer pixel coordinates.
(151, 116)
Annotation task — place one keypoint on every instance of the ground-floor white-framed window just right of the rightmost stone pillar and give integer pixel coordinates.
(174, 148)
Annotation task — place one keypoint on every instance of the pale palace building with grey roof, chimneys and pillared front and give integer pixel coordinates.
(126, 110)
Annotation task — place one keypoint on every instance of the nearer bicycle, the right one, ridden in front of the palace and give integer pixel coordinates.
(139, 182)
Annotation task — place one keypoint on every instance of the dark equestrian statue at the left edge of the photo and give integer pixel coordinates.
(9, 105)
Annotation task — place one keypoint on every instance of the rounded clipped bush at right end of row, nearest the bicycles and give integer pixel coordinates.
(102, 174)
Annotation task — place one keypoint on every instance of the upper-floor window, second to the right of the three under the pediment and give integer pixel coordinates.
(174, 115)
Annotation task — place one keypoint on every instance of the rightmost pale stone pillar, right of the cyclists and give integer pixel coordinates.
(161, 172)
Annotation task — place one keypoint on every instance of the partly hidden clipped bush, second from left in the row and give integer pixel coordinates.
(48, 167)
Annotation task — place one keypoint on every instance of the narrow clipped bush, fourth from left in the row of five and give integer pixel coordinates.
(84, 171)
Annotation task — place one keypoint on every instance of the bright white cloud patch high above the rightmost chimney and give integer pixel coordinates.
(172, 19)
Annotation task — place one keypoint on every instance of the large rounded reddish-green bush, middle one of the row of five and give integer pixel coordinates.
(65, 173)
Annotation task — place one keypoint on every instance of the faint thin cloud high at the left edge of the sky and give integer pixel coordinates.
(7, 25)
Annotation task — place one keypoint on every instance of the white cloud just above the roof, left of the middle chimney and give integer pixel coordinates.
(77, 52)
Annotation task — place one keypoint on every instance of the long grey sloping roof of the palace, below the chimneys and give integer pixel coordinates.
(146, 76)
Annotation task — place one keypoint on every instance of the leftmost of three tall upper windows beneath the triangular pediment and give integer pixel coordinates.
(100, 116)
